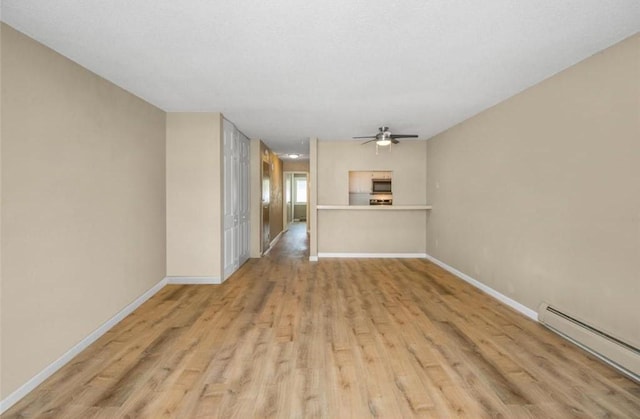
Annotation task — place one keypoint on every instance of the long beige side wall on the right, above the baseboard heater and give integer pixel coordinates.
(539, 197)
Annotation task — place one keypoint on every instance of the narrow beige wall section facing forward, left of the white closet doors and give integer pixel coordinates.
(194, 194)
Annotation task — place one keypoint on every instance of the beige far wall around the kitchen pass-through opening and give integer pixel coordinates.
(349, 231)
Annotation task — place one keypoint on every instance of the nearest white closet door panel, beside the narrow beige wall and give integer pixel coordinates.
(231, 219)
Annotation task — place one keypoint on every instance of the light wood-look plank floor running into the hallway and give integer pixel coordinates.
(339, 338)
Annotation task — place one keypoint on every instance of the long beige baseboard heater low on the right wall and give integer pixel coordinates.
(614, 351)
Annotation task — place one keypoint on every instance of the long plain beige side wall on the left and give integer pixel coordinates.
(83, 214)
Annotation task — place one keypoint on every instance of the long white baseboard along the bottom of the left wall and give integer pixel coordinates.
(49, 370)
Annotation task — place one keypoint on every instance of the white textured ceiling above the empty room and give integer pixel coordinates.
(285, 70)
